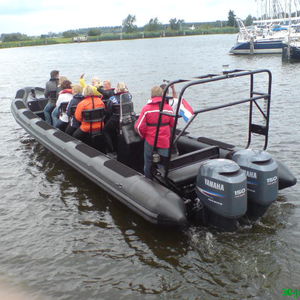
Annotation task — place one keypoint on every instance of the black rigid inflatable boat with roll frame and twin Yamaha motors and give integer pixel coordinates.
(203, 181)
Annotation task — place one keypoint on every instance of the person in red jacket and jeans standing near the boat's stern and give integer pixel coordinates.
(147, 124)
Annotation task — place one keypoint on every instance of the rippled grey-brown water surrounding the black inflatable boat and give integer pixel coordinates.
(64, 238)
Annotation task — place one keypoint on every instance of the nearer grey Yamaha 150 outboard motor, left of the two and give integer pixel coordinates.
(222, 189)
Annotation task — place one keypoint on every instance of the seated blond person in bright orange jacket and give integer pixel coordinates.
(90, 101)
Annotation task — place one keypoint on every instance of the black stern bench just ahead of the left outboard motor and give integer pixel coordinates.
(183, 169)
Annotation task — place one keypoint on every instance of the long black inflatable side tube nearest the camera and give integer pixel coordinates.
(150, 200)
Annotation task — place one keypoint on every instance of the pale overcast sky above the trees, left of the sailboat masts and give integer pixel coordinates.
(36, 17)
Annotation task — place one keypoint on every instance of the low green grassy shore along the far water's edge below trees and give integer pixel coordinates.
(117, 37)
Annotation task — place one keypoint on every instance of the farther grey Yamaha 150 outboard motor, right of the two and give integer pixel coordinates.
(262, 179)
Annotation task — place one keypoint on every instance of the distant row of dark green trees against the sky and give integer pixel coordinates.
(129, 26)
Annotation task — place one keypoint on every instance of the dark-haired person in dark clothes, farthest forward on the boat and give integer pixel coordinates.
(51, 93)
